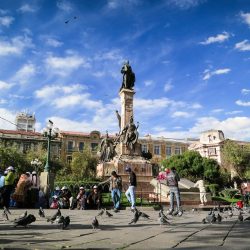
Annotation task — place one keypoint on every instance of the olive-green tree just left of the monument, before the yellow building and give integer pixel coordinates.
(83, 164)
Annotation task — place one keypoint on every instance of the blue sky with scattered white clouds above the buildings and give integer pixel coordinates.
(191, 59)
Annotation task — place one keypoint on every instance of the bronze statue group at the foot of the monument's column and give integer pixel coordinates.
(130, 134)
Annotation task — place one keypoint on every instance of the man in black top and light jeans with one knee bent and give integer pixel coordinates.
(130, 193)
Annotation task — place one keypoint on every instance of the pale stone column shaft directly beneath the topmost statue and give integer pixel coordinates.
(127, 97)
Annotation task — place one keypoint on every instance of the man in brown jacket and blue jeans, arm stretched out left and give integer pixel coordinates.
(115, 187)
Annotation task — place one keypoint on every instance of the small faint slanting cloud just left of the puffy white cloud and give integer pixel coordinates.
(25, 73)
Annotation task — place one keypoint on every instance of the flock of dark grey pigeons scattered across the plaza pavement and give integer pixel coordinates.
(216, 214)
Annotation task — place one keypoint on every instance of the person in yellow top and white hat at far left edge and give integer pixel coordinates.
(8, 186)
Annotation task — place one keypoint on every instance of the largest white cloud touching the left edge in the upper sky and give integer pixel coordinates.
(15, 46)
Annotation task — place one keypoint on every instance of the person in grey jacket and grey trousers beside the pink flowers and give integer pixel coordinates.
(172, 179)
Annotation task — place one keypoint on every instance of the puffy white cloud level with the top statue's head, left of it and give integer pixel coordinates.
(64, 66)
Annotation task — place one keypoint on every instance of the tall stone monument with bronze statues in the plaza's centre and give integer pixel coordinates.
(125, 149)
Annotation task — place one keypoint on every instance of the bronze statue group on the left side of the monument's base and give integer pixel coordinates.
(107, 149)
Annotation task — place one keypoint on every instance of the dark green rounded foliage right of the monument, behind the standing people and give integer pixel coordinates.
(193, 166)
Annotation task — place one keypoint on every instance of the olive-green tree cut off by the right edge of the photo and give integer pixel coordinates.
(236, 157)
